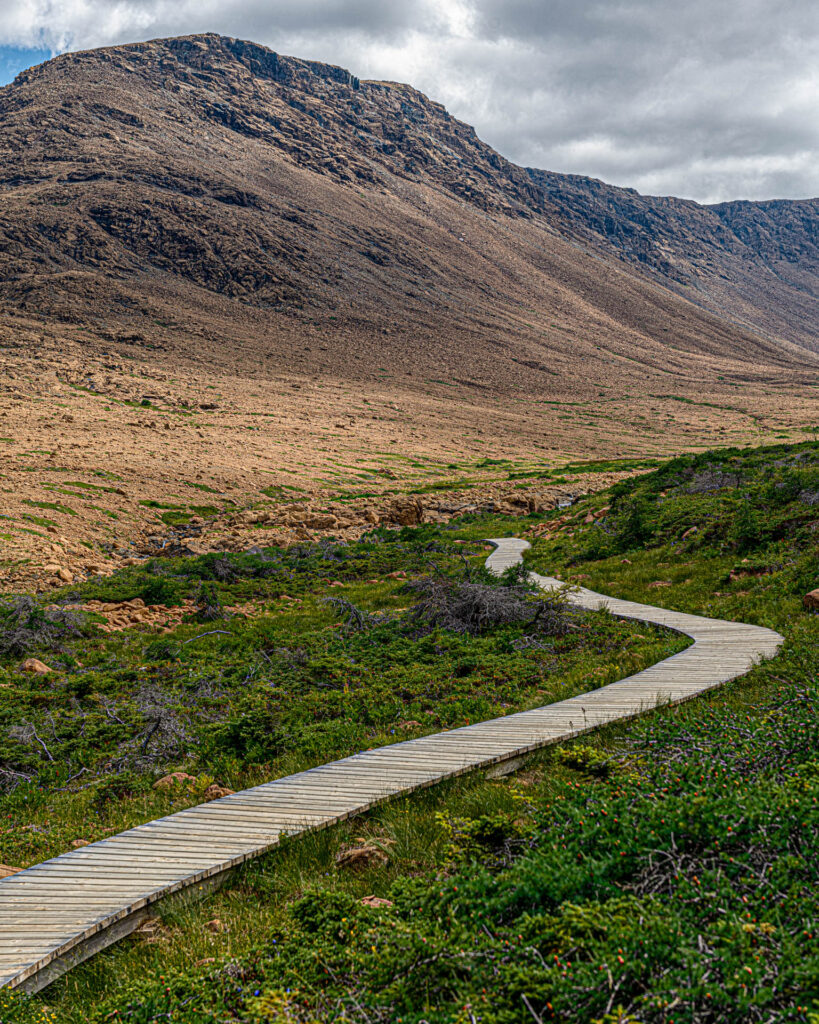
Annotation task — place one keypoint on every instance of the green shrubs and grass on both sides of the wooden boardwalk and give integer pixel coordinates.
(665, 871)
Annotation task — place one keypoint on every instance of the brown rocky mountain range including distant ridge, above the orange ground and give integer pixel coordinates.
(207, 194)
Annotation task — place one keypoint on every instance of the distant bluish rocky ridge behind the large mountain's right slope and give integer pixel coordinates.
(755, 263)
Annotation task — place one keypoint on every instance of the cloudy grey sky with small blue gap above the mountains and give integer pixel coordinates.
(710, 100)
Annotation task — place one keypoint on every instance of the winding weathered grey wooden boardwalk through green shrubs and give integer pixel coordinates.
(58, 914)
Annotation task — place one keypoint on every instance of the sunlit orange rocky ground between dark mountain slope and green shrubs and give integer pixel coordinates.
(105, 459)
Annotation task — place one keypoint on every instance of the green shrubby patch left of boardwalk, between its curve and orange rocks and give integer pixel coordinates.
(329, 655)
